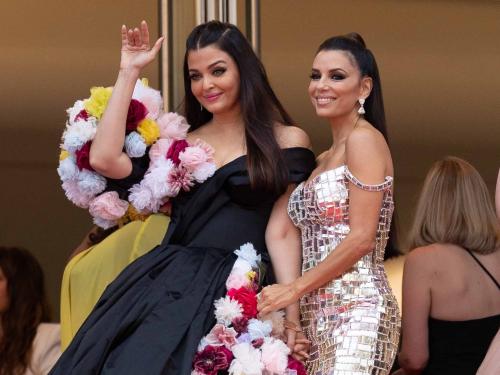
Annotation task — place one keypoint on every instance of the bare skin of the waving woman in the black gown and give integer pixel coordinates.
(215, 84)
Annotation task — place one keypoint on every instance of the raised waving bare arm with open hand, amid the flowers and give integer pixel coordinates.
(106, 153)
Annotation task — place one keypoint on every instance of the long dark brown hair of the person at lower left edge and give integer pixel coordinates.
(27, 308)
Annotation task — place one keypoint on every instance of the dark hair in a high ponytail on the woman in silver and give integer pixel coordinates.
(355, 46)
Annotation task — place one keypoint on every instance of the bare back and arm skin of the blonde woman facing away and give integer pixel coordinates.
(429, 289)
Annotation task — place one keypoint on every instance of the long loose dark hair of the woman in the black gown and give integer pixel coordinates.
(260, 107)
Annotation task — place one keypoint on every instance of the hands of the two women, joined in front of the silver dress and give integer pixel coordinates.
(278, 296)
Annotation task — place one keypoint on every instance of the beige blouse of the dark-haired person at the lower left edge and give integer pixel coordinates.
(46, 349)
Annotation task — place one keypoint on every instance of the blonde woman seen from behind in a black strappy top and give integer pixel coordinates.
(451, 290)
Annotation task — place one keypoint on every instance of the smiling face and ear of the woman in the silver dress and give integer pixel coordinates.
(336, 84)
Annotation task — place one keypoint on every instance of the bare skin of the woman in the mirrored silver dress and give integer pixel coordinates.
(335, 88)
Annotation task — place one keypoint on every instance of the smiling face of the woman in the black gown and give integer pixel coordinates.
(215, 79)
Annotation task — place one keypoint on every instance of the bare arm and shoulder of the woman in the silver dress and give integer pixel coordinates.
(367, 161)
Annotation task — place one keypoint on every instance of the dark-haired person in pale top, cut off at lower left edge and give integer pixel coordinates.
(28, 343)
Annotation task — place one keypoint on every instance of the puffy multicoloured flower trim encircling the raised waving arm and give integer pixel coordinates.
(146, 127)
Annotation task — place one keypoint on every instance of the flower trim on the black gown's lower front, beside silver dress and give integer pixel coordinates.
(243, 343)
